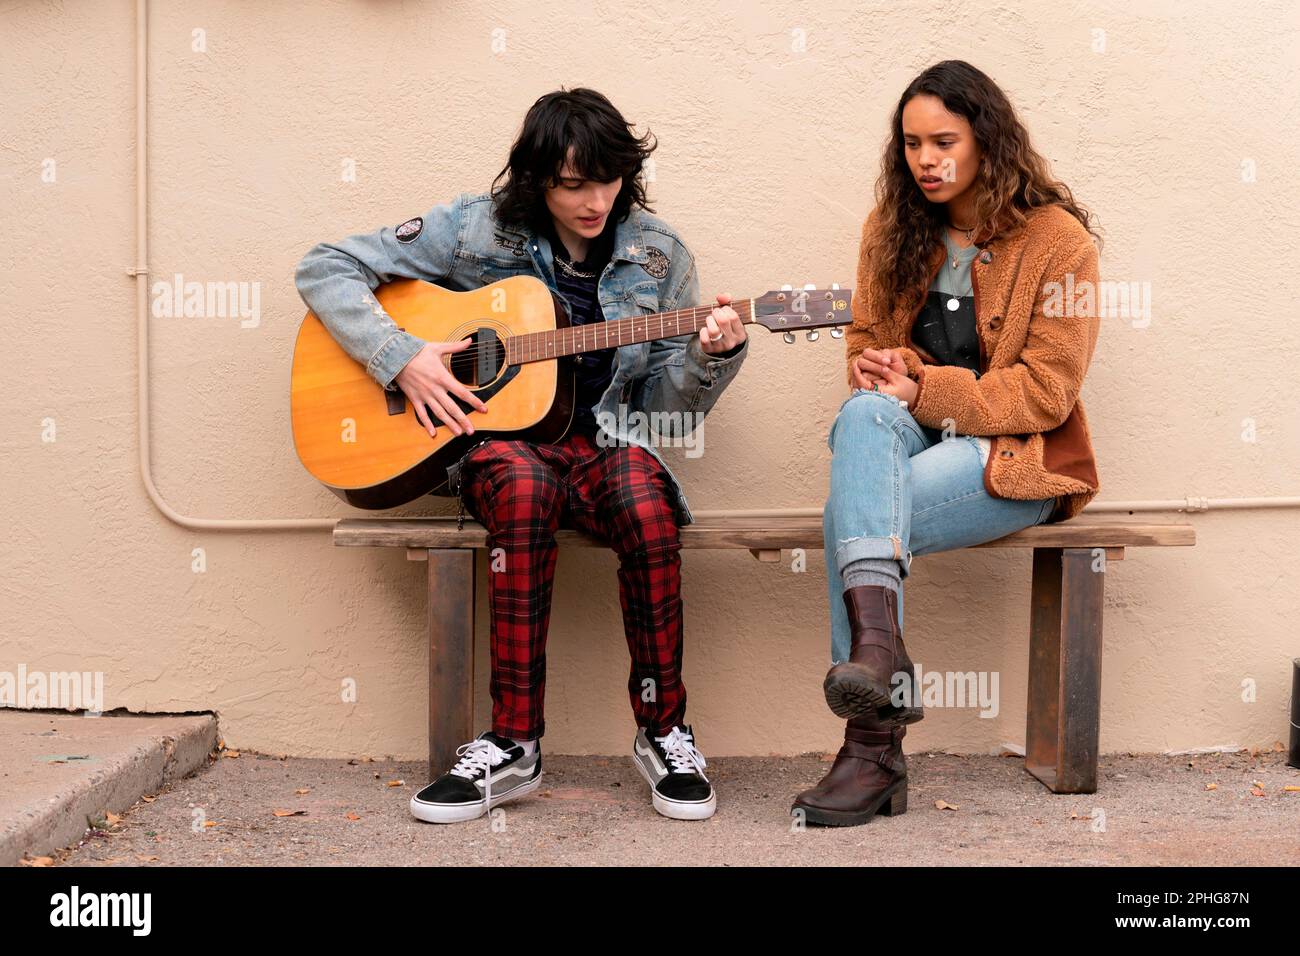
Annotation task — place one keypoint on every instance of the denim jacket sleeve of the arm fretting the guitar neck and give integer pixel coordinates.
(687, 379)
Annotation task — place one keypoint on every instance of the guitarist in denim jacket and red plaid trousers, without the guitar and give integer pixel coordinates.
(570, 210)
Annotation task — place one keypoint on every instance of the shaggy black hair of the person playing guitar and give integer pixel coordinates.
(605, 149)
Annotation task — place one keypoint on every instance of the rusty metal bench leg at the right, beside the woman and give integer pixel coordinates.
(1064, 720)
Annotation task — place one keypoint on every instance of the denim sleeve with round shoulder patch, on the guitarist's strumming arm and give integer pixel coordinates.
(336, 280)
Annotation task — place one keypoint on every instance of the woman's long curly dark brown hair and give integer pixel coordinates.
(1012, 179)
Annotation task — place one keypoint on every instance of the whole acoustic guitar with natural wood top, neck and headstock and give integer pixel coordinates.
(366, 444)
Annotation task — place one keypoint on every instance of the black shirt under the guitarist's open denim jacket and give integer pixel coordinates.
(578, 284)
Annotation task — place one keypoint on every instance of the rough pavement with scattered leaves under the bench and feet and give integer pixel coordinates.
(1211, 810)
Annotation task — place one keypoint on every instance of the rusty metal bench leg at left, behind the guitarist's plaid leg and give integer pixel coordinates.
(452, 655)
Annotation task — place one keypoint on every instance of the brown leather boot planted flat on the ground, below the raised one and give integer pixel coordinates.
(869, 777)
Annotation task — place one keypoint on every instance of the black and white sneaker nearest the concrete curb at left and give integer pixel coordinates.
(491, 772)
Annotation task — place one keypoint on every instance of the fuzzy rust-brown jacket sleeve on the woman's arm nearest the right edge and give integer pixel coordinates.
(1039, 391)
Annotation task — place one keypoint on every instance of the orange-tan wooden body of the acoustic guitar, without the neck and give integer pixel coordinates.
(369, 447)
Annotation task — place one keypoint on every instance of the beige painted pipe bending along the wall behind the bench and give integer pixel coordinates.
(142, 323)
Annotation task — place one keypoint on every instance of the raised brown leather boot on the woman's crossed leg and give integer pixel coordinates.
(863, 686)
